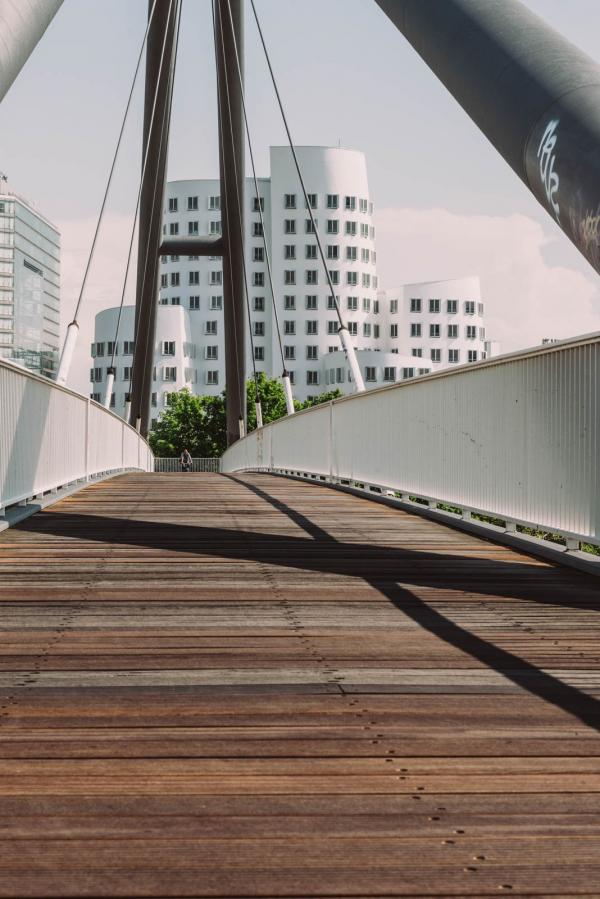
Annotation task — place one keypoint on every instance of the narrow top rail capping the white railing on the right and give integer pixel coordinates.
(504, 359)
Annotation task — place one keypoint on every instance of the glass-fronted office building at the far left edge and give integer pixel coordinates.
(29, 285)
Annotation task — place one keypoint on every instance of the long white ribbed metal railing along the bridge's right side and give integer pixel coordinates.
(515, 438)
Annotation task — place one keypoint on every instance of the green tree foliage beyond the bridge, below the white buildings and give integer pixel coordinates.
(198, 423)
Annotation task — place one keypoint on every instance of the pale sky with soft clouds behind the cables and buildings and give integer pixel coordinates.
(448, 205)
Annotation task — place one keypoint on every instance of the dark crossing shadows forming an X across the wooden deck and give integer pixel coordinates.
(379, 566)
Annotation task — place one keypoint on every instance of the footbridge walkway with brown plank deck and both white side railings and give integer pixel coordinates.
(324, 684)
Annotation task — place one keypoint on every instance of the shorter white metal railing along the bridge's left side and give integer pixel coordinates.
(51, 437)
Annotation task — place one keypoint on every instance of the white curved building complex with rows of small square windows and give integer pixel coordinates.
(392, 339)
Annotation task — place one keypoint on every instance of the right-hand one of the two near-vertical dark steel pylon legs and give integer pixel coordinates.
(231, 158)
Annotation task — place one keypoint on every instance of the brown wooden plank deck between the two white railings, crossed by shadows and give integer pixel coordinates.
(249, 686)
